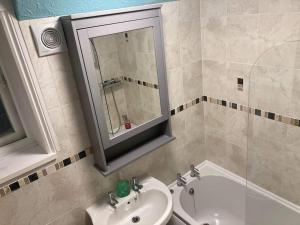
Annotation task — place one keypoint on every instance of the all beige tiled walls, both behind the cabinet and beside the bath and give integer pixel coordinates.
(205, 56)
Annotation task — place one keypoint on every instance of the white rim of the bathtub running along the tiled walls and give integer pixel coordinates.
(208, 168)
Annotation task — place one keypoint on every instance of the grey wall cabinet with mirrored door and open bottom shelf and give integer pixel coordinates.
(118, 59)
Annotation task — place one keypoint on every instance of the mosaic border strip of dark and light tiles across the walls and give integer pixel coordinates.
(26, 180)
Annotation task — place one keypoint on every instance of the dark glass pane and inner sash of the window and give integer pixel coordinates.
(11, 128)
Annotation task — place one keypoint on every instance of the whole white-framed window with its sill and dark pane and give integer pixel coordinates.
(26, 137)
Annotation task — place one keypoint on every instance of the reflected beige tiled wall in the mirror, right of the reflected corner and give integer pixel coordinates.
(137, 57)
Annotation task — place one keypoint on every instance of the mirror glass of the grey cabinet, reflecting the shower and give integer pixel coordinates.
(127, 77)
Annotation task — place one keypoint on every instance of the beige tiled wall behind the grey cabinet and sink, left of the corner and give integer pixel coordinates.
(62, 196)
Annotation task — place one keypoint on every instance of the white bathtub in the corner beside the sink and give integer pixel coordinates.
(220, 197)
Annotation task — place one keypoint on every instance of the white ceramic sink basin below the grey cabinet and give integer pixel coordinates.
(152, 206)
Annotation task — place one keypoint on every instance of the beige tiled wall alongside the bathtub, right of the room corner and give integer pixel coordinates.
(254, 39)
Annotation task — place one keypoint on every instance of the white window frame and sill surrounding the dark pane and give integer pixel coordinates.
(26, 95)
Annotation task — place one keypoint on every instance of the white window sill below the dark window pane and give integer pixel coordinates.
(16, 162)
